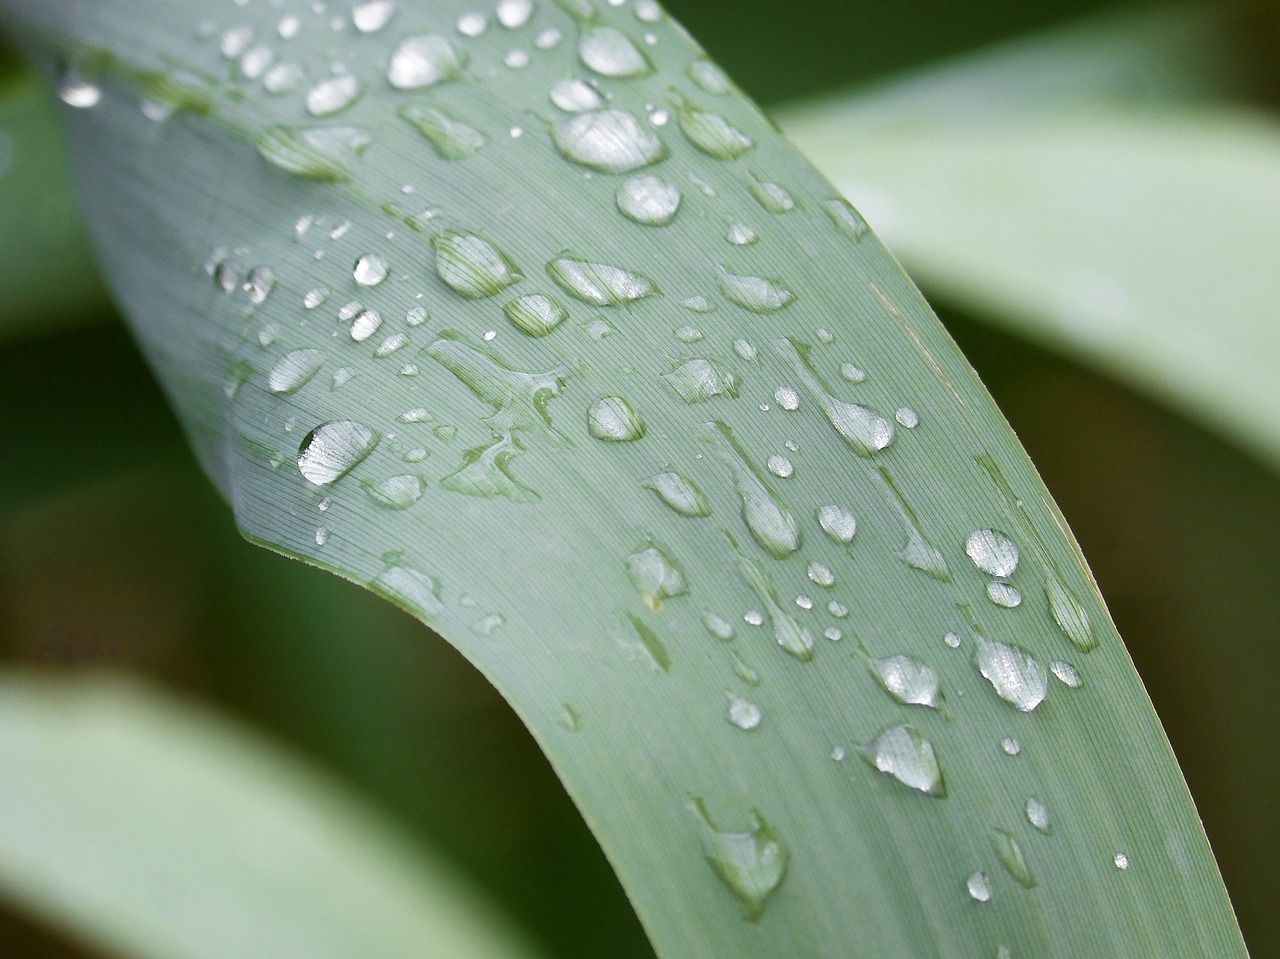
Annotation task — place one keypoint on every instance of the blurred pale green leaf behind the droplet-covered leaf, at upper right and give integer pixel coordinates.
(1092, 190)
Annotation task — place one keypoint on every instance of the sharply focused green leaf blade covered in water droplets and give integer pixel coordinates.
(708, 660)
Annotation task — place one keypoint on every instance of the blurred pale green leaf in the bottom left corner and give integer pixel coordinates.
(154, 829)
